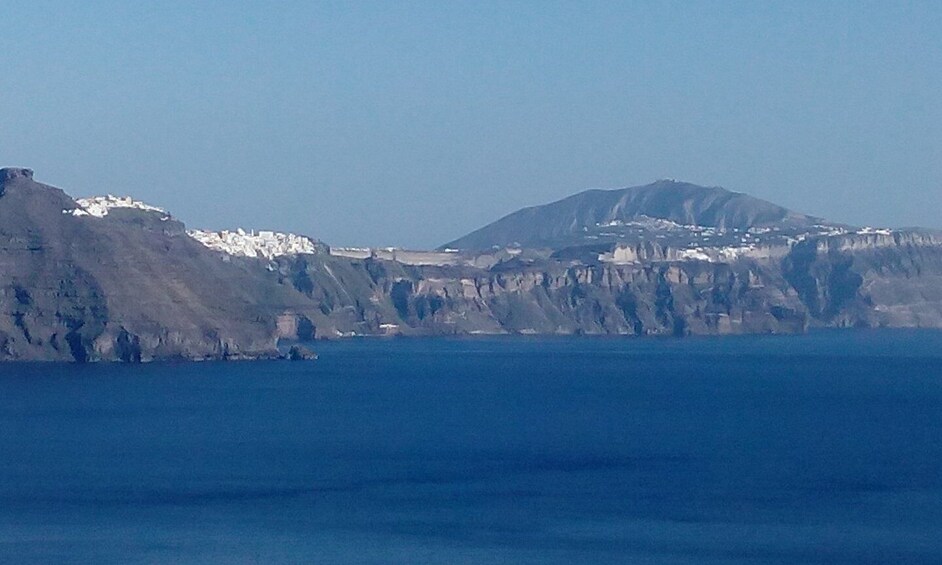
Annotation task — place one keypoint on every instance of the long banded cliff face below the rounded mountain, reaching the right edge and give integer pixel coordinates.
(840, 281)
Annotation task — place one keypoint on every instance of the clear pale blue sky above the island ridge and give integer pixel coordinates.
(411, 123)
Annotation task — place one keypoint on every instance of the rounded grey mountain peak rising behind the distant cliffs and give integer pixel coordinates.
(592, 215)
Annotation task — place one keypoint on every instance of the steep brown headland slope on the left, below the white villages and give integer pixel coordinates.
(125, 287)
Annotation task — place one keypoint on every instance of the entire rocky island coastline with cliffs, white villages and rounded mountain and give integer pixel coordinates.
(113, 279)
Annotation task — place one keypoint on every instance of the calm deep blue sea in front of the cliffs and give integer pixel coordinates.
(825, 448)
